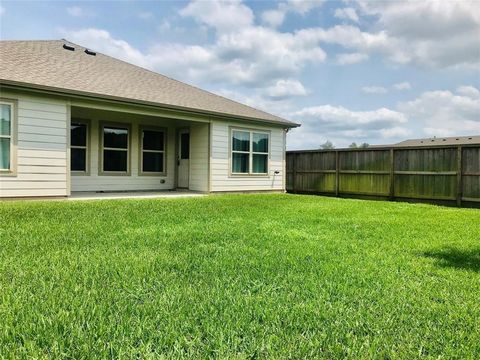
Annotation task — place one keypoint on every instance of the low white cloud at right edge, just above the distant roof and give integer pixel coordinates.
(444, 113)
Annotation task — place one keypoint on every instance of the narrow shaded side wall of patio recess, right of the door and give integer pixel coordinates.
(199, 157)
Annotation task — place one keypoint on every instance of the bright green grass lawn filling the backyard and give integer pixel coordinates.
(239, 276)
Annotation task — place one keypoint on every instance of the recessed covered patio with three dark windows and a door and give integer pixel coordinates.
(122, 151)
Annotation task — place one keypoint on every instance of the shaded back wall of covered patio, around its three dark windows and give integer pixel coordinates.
(134, 181)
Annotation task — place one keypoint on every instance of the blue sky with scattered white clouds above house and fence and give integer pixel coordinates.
(348, 71)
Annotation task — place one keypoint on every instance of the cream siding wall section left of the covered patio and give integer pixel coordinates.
(42, 156)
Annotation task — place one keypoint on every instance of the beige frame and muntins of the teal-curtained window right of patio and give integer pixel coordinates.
(250, 152)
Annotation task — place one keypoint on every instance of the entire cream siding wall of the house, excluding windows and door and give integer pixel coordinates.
(43, 151)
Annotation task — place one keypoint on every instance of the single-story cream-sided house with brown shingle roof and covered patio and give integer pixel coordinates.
(73, 120)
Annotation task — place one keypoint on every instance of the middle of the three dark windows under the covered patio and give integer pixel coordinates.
(115, 149)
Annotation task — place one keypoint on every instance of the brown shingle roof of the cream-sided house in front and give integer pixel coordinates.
(48, 65)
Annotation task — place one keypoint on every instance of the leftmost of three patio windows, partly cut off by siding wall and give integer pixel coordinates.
(78, 146)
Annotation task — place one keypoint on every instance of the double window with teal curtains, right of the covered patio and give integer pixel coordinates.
(249, 152)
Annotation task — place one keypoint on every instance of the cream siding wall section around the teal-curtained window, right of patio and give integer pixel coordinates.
(220, 177)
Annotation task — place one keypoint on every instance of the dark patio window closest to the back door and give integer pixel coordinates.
(152, 151)
